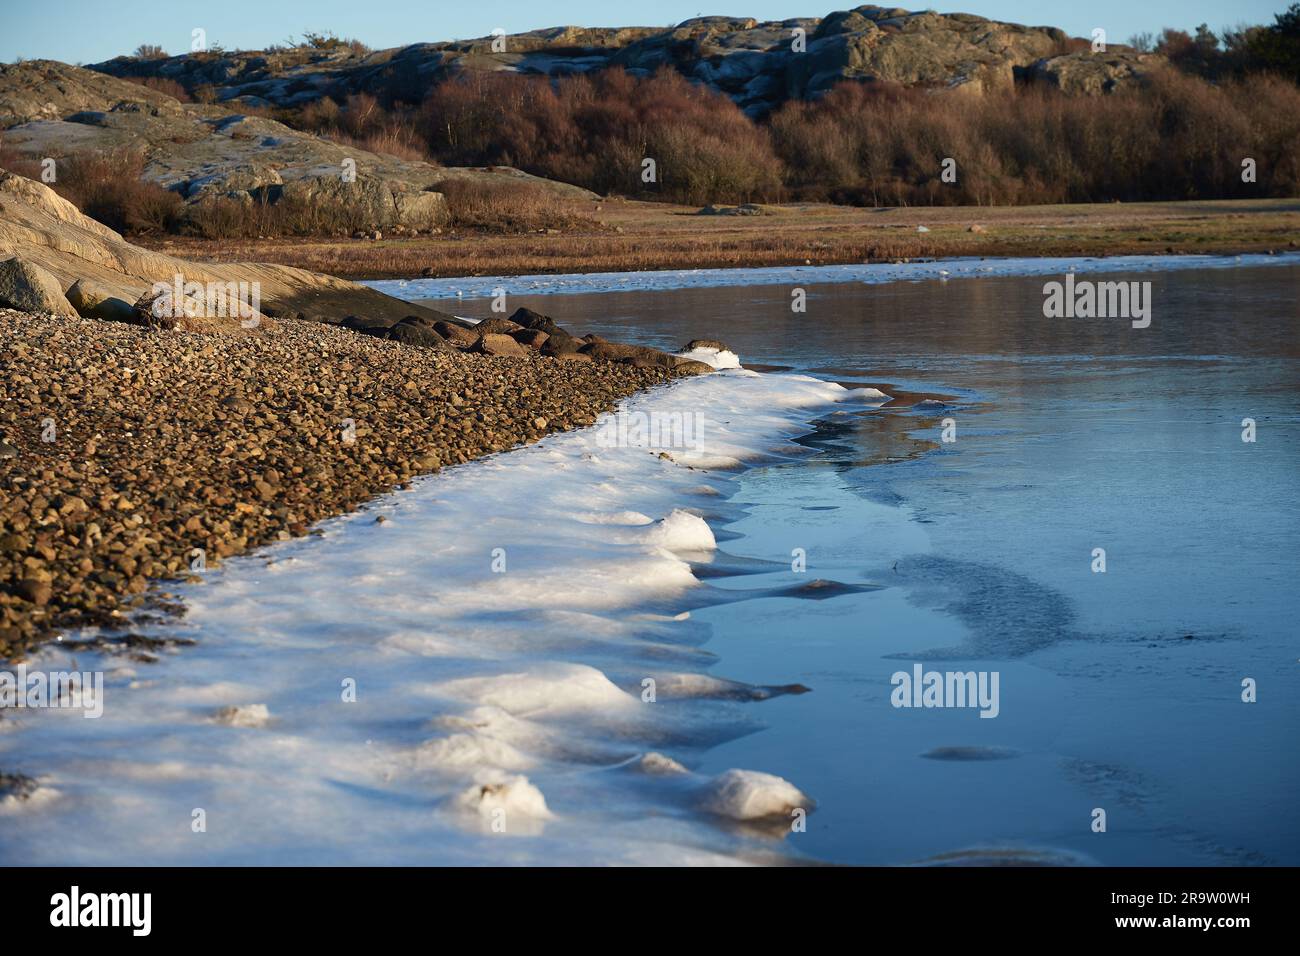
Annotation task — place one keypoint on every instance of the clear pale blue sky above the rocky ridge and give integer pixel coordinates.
(96, 31)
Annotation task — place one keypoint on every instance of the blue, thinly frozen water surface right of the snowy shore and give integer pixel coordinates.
(1120, 691)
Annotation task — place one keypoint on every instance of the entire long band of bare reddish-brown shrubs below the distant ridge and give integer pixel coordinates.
(1172, 137)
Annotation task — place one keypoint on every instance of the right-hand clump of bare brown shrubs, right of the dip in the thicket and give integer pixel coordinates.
(1176, 137)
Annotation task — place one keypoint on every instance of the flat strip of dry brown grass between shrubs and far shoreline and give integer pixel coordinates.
(657, 236)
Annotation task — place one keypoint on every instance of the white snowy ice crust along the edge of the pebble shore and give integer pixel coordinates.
(465, 682)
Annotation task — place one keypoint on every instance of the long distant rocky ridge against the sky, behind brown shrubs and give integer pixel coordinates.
(759, 64)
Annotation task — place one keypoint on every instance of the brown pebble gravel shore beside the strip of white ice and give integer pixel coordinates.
(125, 452)
